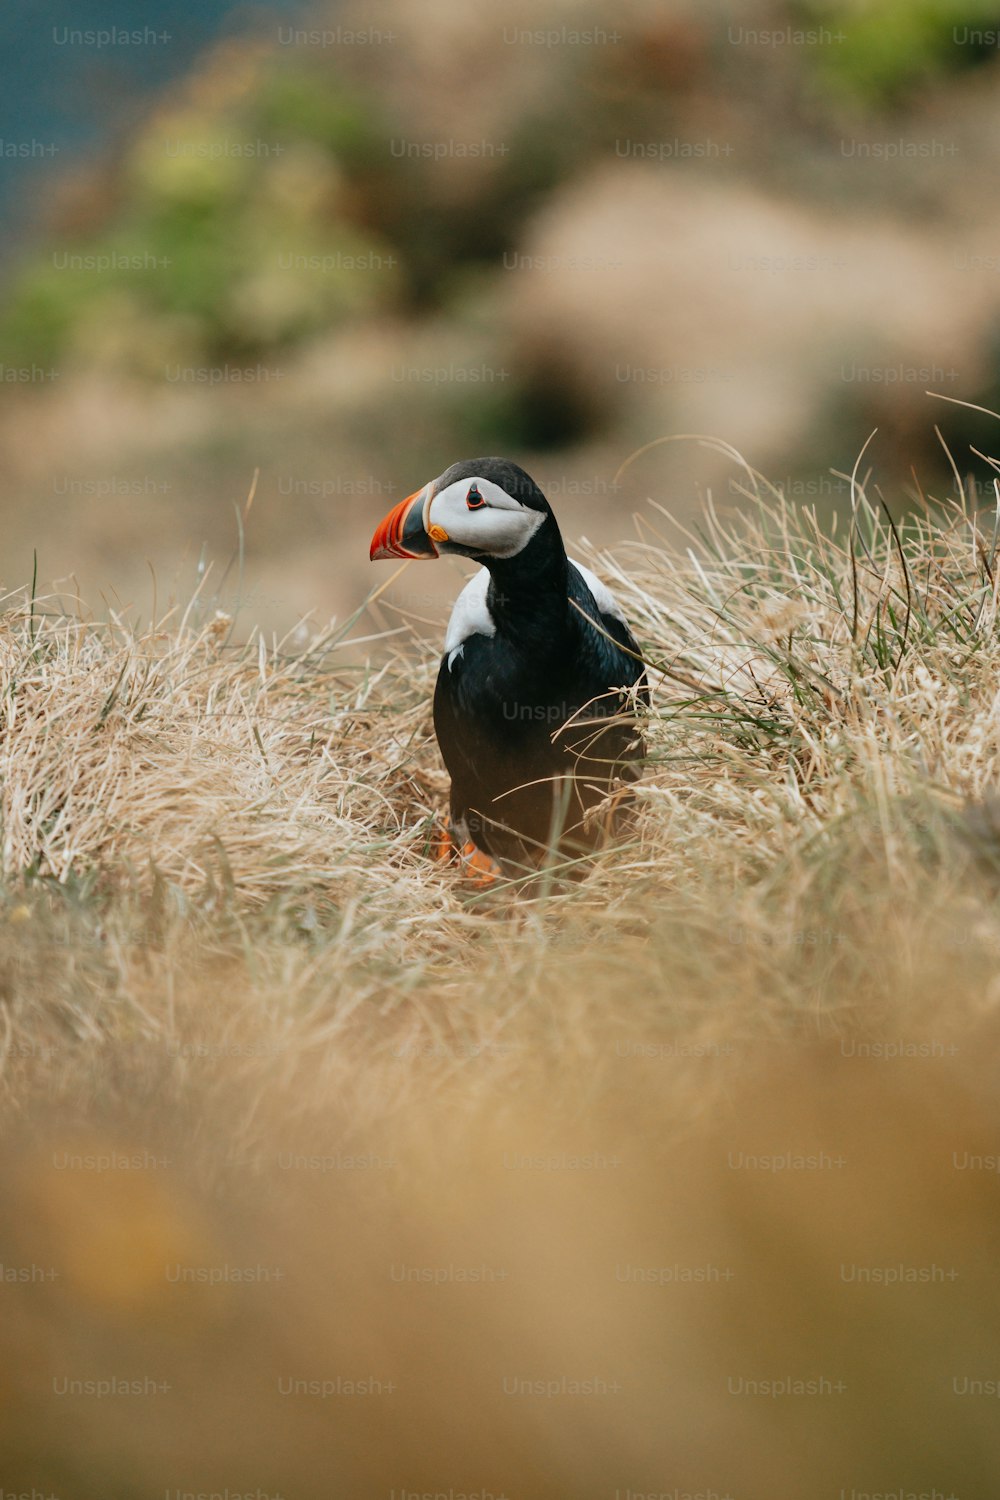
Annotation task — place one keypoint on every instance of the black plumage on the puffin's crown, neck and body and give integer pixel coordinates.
(519, 776)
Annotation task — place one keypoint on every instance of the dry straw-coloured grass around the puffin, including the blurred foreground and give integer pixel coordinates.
(223, 940)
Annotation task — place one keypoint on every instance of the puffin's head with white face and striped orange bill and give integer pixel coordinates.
(481, 509)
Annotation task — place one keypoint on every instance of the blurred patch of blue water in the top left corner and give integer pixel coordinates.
(65, 101)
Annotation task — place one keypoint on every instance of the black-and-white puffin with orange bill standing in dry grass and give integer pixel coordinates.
(542, 686)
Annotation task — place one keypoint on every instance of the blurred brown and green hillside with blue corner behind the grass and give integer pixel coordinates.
(346, 247)
